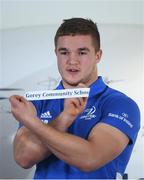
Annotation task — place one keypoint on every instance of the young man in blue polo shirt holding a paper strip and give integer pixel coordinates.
(86, 137)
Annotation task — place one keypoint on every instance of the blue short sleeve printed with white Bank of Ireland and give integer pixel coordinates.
(123, 113)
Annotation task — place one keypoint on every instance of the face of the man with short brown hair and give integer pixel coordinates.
(77, 59)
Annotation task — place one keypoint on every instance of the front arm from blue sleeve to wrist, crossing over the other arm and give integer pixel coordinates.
(103, 145)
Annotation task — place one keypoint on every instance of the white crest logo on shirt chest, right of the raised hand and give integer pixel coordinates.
(89, 113)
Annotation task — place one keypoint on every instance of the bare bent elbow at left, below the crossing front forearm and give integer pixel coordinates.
(28, 149)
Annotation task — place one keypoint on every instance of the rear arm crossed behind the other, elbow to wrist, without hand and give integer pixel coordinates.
(29, 149)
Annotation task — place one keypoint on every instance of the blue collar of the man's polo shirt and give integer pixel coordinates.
(96, 87)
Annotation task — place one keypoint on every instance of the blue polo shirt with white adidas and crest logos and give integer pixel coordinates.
(104, 105)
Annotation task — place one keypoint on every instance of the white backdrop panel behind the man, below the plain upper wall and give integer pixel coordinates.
(29, 62)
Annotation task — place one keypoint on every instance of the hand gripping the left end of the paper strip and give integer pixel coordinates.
(21, 108)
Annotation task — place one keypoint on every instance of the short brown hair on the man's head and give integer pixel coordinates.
(79, 26)
